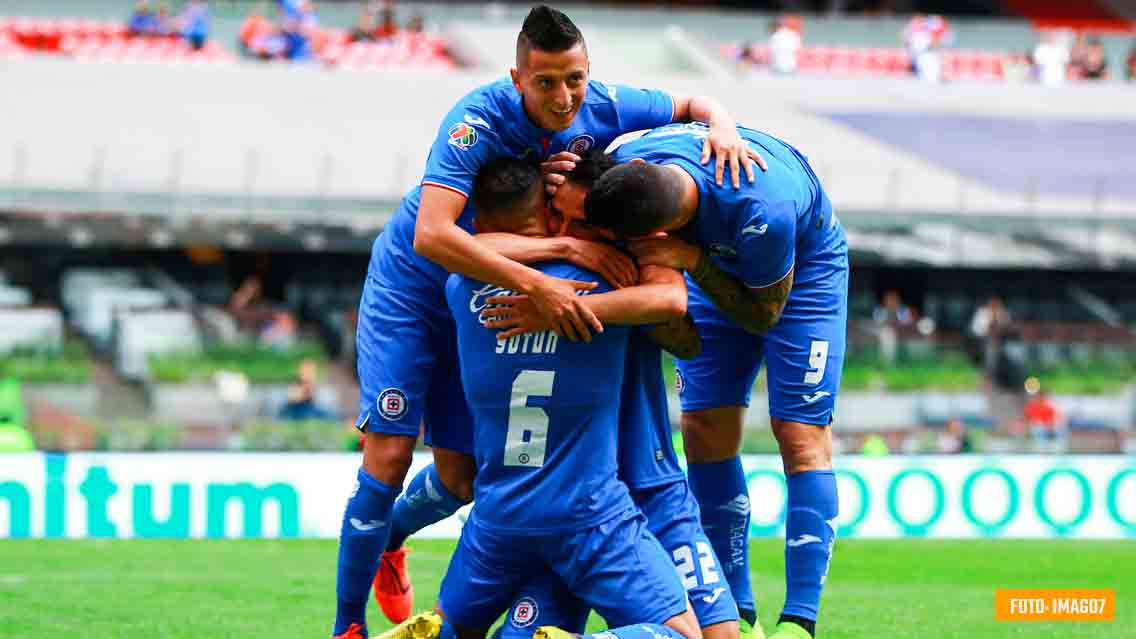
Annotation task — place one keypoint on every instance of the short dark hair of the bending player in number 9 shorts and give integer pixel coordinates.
(634, 200)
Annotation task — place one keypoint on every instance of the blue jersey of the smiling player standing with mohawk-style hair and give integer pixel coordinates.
(490, 123)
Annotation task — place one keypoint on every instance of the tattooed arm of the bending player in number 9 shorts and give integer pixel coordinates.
(754, 309)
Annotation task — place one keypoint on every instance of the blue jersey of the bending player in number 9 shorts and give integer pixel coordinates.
(758, 233)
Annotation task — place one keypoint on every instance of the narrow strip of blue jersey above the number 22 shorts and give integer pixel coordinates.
(647, 453)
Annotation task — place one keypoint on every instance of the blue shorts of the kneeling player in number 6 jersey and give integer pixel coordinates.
(616, 568)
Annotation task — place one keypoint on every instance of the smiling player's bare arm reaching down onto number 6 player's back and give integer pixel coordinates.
(439, 238)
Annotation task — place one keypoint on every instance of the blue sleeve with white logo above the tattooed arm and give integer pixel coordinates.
(767, 244)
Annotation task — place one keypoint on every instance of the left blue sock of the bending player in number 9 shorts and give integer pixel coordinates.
(725, 503)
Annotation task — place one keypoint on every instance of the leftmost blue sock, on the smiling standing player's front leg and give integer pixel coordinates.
(363, 537)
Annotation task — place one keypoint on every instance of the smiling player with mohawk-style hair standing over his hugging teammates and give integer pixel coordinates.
(408, 368)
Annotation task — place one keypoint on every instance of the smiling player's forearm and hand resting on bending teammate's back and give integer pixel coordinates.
(724, 143)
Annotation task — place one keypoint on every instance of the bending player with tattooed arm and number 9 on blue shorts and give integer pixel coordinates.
(767, 269)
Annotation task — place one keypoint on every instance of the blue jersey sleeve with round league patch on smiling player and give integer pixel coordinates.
(461, 148)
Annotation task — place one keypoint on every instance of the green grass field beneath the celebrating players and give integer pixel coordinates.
(922, 590)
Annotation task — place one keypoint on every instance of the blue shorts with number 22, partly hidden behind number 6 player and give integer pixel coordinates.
(674, 519)
